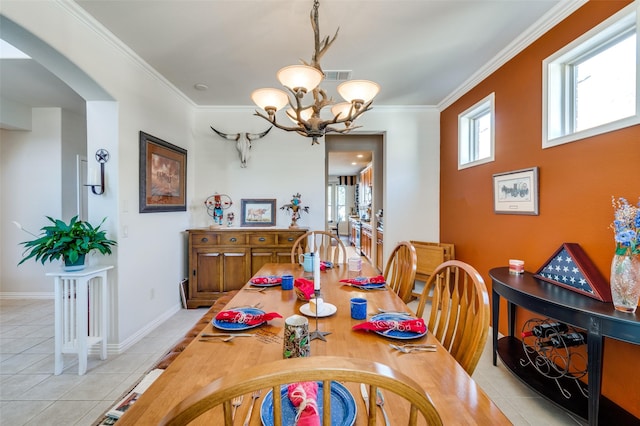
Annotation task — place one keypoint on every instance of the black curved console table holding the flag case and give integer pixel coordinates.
(599, 319)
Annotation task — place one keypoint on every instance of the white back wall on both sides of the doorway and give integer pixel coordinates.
(283, 163)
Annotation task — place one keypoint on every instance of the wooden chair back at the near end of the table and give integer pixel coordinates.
(317, 368)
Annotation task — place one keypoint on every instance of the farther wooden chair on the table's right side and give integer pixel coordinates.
(400, 270)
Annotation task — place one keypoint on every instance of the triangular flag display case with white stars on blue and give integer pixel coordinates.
(571, 268)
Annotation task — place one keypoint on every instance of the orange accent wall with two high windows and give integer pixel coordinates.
(576, 182)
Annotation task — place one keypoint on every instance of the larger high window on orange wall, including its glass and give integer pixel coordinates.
(591, 85)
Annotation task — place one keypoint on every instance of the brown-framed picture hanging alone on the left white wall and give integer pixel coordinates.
(163, 176)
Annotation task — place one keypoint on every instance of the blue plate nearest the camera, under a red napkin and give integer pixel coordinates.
(343, 406)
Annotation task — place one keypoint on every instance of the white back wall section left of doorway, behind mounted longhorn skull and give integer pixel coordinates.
(281, 164)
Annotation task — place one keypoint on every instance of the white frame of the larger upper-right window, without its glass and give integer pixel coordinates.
(558, 97)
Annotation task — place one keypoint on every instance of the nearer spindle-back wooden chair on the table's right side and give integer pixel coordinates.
(459, 316)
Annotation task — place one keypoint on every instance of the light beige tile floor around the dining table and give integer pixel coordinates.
(31, 395)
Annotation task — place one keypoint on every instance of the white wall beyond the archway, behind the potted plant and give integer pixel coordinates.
(31, 166)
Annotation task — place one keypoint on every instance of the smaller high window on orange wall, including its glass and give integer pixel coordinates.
(476, 134)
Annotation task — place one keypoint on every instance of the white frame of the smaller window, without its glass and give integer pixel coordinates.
(467, 136)
